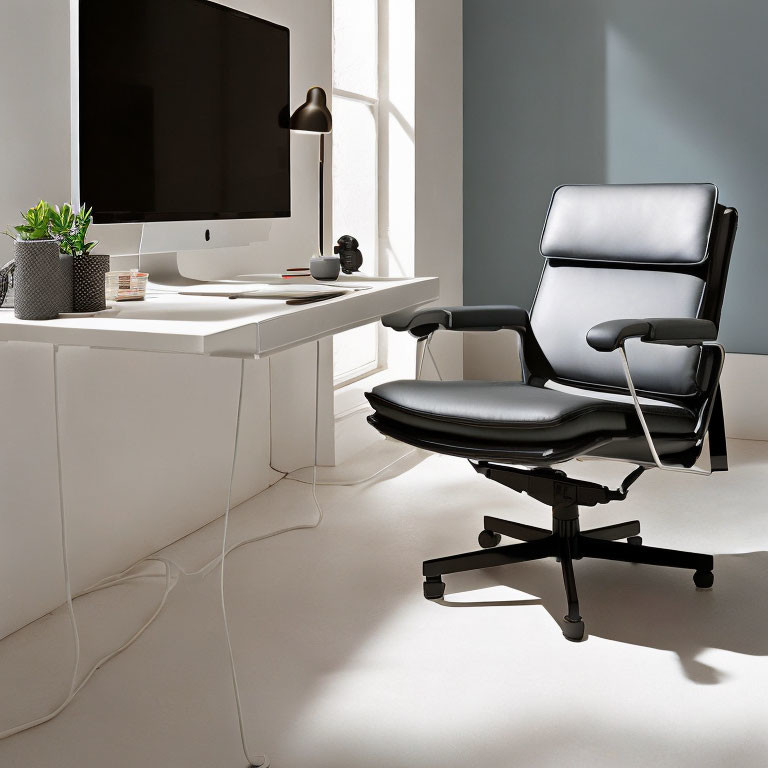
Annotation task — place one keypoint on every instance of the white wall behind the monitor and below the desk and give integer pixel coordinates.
(165, 422)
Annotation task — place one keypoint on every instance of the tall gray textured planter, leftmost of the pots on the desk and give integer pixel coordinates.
(42, 280)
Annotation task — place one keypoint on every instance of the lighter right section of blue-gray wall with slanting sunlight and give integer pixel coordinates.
(685, 101)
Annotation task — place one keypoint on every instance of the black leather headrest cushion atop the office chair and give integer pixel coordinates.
(664, 224)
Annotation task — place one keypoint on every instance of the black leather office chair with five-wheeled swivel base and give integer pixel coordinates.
(595, 383)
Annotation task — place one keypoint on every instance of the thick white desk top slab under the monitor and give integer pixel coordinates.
(209, 325)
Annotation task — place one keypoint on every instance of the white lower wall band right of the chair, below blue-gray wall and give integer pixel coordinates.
(744, 399)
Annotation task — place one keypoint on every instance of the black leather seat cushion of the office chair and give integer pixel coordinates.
(517, 413)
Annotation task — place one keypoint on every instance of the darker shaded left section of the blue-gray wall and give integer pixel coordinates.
(534, 118)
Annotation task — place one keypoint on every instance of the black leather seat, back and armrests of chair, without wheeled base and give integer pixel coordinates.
(613, 255)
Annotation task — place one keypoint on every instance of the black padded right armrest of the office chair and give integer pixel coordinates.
(680, 331)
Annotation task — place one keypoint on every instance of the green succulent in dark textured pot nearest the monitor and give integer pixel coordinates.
(70, 227)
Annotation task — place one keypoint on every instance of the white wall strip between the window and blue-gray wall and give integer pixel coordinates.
(420, 160)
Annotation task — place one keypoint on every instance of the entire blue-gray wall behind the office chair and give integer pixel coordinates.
(583, 91)
